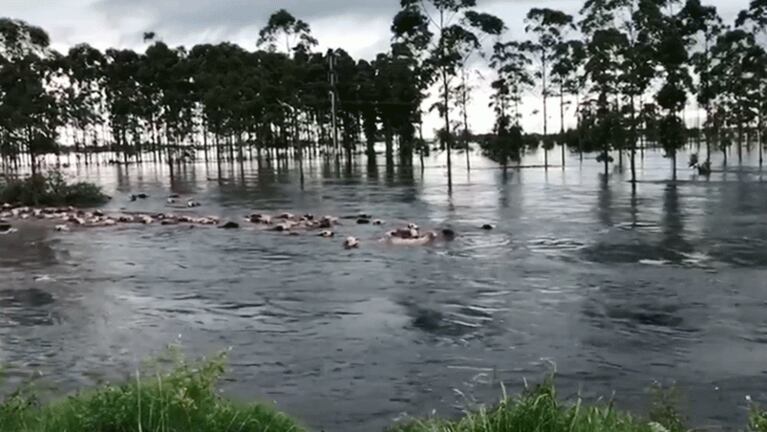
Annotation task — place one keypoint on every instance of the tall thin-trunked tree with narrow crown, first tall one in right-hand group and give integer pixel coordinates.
(549, 28)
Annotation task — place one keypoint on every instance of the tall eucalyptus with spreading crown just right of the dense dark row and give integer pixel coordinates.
(443, 33)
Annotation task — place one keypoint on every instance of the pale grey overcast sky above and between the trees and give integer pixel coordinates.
(361, 27)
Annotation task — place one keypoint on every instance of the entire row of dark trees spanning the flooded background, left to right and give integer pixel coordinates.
(625, 70)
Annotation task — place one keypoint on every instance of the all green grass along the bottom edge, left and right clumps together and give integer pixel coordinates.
(185, 399)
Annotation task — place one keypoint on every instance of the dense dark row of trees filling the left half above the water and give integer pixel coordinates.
(222, 98)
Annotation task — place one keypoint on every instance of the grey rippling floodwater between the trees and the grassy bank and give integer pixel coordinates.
(613, 289)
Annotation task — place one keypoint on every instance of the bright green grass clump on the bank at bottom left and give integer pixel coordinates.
(181, 400)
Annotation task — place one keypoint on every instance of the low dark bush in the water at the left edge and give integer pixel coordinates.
(50, 189)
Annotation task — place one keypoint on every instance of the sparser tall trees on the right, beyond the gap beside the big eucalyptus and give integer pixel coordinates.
(633, 67)
